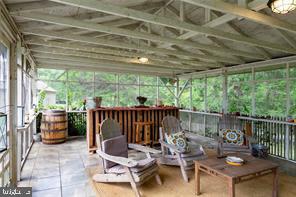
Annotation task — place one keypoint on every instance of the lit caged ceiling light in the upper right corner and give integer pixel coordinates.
(282, 6)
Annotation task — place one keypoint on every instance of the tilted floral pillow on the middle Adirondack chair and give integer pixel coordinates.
(179, 140)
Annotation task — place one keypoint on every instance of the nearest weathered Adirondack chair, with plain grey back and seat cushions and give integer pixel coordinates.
(113, 149)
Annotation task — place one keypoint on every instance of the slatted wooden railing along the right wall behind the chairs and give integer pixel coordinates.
(274, 132)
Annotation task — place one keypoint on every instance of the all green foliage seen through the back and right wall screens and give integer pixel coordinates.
(270, 90)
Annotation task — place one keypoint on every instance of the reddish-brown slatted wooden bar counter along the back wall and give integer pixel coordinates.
(126, 116)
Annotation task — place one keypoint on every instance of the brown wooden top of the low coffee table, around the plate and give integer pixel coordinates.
(252, 165)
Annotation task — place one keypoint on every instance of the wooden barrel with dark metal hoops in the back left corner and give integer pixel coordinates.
(54, 126)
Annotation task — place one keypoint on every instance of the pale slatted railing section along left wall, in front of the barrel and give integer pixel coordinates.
(25, 142)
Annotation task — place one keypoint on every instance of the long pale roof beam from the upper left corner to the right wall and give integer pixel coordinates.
(70, 22)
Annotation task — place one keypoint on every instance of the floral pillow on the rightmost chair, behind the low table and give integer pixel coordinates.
(232, 136)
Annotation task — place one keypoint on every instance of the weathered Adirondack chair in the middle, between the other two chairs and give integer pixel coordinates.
(171, 154)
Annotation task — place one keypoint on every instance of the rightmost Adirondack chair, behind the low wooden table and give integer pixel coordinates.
(231, 122)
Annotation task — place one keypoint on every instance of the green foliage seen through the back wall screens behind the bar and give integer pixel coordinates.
(90, 84)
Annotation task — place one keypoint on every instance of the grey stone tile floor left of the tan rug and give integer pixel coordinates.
(61, 170)
